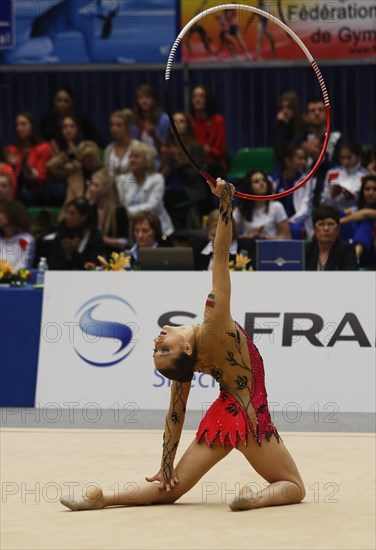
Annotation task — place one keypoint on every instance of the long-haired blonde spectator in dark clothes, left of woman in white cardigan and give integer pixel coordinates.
(109, 214)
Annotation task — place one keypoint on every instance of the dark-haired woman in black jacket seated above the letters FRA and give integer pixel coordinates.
(327, 251)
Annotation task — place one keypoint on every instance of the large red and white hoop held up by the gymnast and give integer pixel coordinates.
(313, 63)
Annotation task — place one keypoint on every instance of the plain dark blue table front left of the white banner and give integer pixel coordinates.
(20, 318)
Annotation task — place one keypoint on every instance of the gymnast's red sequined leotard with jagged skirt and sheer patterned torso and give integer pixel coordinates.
(242, 405)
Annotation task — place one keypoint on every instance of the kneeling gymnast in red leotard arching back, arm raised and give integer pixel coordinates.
(239, 418)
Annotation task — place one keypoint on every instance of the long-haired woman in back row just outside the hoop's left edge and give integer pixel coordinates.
(151, 122)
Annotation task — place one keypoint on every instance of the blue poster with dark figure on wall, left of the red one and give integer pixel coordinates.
(91, 31)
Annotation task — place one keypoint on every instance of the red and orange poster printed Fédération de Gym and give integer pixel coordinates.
(341, 29)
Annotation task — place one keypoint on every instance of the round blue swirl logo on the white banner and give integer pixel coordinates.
(107, 329)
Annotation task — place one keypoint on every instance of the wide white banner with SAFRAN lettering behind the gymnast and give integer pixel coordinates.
(315, 331)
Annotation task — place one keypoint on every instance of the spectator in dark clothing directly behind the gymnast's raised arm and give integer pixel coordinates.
(203, 247)
